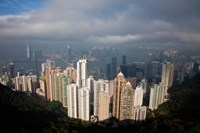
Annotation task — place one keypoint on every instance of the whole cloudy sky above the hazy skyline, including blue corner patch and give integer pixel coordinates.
(102, 22)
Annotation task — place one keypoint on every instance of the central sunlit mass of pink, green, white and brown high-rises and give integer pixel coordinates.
(84, 96)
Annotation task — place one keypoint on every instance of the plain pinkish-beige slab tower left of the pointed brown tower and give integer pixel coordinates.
(104, 101)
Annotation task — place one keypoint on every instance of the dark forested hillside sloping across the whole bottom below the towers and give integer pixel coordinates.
(22, 113)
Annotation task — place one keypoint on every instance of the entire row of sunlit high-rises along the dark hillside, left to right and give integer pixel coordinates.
(83, 96)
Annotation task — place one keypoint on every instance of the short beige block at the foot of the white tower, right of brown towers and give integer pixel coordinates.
(140, 113)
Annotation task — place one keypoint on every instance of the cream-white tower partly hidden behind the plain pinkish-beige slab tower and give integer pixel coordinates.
(99, 86)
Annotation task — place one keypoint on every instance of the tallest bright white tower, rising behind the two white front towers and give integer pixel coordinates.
(81, 73)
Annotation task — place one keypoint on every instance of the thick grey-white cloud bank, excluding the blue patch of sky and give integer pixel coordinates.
(97, 21)
